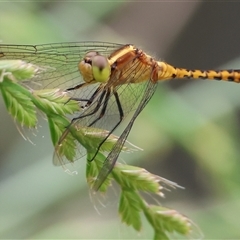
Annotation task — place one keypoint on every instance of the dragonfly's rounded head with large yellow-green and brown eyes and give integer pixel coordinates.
(95, 68)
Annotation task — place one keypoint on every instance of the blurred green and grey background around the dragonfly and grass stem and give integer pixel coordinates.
(189, 131)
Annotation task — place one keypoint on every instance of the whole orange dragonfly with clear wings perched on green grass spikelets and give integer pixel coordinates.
(110, 80)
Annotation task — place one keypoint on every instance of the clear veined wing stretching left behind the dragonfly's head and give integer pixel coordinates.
(58, 61)
